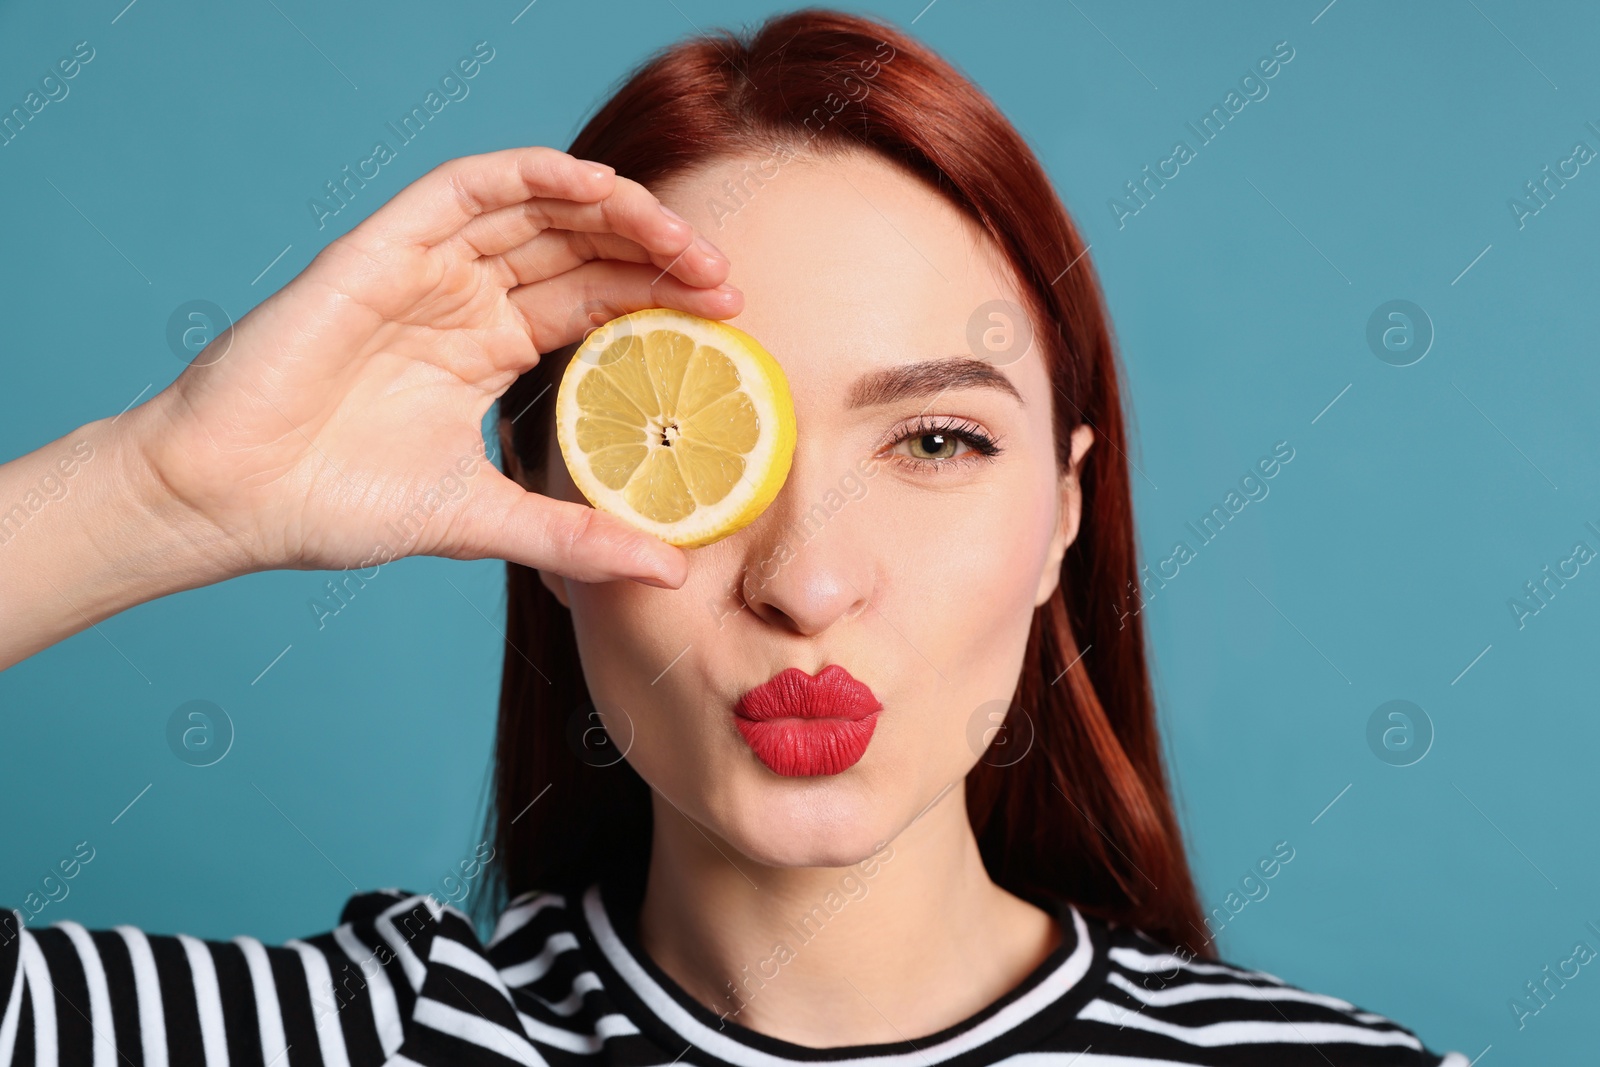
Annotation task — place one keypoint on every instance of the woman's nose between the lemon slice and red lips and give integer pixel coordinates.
(807, 561)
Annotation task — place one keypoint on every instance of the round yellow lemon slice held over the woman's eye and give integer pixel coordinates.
(684, 426)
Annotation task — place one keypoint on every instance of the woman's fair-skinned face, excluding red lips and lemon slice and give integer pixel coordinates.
(913, 562)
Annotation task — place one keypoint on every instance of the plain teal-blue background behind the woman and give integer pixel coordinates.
(1378, 169)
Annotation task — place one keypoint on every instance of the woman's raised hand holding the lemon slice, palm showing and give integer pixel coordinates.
(351, 394)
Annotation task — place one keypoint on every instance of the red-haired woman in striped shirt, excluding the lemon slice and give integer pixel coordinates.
(953, 549)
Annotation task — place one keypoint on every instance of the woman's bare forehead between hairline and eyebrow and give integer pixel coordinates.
(847, 263)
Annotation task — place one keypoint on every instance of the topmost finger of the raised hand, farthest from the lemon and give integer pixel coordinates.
(439, 204)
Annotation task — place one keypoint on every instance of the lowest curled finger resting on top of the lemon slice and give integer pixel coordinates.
(612, 289)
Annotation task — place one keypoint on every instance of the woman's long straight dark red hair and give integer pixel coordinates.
(1087, 813)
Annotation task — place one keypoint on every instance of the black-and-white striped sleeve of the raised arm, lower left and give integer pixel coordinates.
(351, 993)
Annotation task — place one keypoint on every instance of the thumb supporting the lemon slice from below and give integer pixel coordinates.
(572, 540)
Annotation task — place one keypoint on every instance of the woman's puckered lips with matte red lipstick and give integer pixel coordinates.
(802, 725)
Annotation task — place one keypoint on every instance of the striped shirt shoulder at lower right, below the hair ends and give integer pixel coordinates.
(1170, 1007)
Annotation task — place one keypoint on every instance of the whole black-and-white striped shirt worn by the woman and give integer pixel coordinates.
(406, 981)
